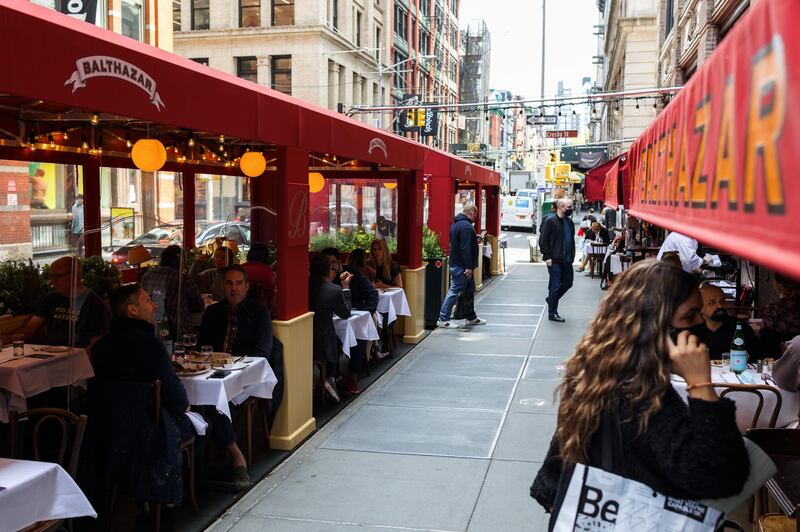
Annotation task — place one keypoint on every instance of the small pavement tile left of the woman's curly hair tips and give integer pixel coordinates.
(525, 437)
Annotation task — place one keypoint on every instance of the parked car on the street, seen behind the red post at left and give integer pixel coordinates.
(158, 238)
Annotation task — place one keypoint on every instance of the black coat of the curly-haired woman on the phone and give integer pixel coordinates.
(688, 452)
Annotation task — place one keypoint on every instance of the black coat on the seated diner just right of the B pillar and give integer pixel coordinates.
(325, 300)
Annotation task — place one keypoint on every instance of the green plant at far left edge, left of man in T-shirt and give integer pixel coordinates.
(21, 287)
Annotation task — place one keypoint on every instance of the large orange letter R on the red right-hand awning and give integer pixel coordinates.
(765, 123)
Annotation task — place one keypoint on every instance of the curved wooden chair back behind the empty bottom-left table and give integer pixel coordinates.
(71, 428)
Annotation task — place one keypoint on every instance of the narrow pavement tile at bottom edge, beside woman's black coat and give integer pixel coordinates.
(507, 488)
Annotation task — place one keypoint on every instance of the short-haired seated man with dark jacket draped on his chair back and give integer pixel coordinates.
(132, 352)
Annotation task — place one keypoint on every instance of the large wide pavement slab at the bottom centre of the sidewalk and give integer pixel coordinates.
(379, 489)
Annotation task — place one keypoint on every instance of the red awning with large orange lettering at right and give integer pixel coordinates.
(719, 163)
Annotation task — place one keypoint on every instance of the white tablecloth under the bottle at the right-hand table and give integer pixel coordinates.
(747, 403)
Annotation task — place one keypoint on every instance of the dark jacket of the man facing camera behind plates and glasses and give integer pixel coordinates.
(253, 328)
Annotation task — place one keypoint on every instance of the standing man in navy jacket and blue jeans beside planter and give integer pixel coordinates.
(463, 261)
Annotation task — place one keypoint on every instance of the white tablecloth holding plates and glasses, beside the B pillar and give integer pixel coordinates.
(256, 380)
